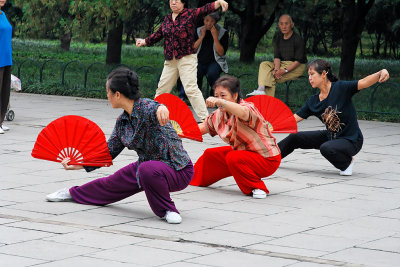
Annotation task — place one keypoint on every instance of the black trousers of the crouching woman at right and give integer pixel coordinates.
(338, 152)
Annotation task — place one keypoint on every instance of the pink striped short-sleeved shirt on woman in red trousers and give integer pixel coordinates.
(253, 135)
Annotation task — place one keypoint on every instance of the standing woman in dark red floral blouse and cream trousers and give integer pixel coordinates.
(179, 33)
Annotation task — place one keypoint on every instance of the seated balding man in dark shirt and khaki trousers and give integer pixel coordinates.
(289, 59)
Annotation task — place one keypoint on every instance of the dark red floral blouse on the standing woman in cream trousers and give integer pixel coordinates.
(180, 35)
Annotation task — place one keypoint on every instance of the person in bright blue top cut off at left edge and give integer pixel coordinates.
(5, 65)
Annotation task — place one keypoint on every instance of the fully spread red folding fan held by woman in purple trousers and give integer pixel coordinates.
(73, 137)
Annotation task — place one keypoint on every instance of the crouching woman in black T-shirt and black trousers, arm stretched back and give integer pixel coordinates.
(342, 139)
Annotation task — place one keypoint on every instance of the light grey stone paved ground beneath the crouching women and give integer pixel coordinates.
(313, 216)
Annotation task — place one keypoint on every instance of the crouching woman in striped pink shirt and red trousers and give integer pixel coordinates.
(252, 152)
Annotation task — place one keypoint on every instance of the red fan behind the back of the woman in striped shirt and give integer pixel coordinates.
(275, 112)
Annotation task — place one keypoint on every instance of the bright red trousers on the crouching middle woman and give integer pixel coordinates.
(247, 168)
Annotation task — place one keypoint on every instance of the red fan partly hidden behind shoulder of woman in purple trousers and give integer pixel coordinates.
(181, 117)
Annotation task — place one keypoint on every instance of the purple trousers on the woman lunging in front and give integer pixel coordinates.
(157, 180)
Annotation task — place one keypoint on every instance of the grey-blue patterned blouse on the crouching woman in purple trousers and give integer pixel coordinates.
(142, 132)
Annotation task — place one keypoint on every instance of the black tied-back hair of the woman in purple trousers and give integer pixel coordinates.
(125, 81)
